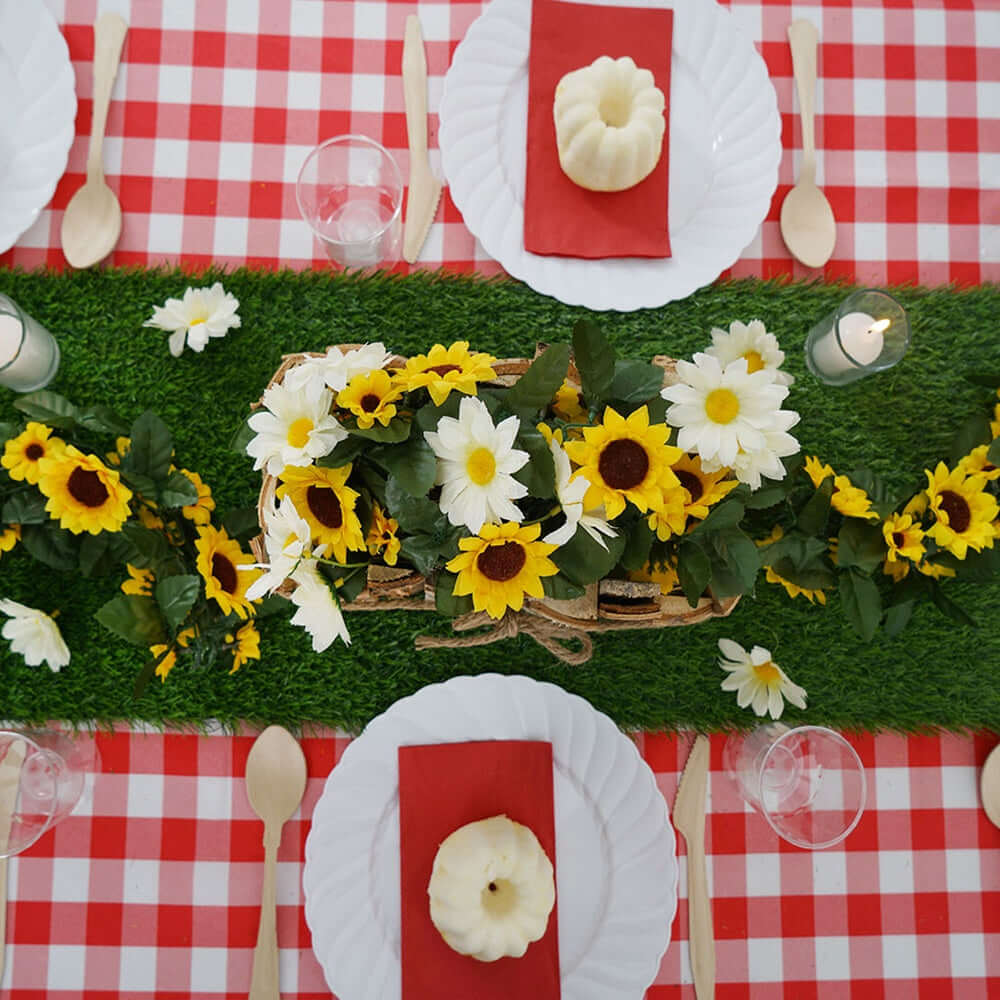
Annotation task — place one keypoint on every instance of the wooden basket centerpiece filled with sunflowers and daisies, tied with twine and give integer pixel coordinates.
(618, 570)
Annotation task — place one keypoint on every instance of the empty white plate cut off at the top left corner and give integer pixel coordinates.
(37, 113)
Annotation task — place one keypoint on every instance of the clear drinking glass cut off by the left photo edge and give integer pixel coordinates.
(42, 774)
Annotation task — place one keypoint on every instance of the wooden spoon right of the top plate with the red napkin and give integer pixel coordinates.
(807, 224)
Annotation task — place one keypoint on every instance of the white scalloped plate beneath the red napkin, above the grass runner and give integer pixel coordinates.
(725, 146)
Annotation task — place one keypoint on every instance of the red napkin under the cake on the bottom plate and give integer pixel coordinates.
(443, 787)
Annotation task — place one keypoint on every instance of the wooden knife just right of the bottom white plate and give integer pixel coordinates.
(689, 818)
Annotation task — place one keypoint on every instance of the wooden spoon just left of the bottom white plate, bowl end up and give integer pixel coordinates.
(276, 782)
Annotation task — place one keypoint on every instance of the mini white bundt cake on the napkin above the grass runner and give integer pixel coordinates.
(609, 124)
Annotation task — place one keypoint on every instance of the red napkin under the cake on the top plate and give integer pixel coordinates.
(561, 217)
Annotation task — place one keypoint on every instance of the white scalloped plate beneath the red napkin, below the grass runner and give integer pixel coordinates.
(616, 870)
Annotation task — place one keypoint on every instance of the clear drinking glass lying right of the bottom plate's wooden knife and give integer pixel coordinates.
(807, 782)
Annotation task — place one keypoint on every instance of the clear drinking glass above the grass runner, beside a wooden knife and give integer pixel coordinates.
(350, 192)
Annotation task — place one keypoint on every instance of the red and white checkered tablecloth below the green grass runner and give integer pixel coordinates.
(153, 885)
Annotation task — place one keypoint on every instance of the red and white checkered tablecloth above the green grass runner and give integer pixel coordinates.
(217, 104)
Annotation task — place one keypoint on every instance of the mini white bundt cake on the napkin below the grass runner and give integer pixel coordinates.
(492, 889)
